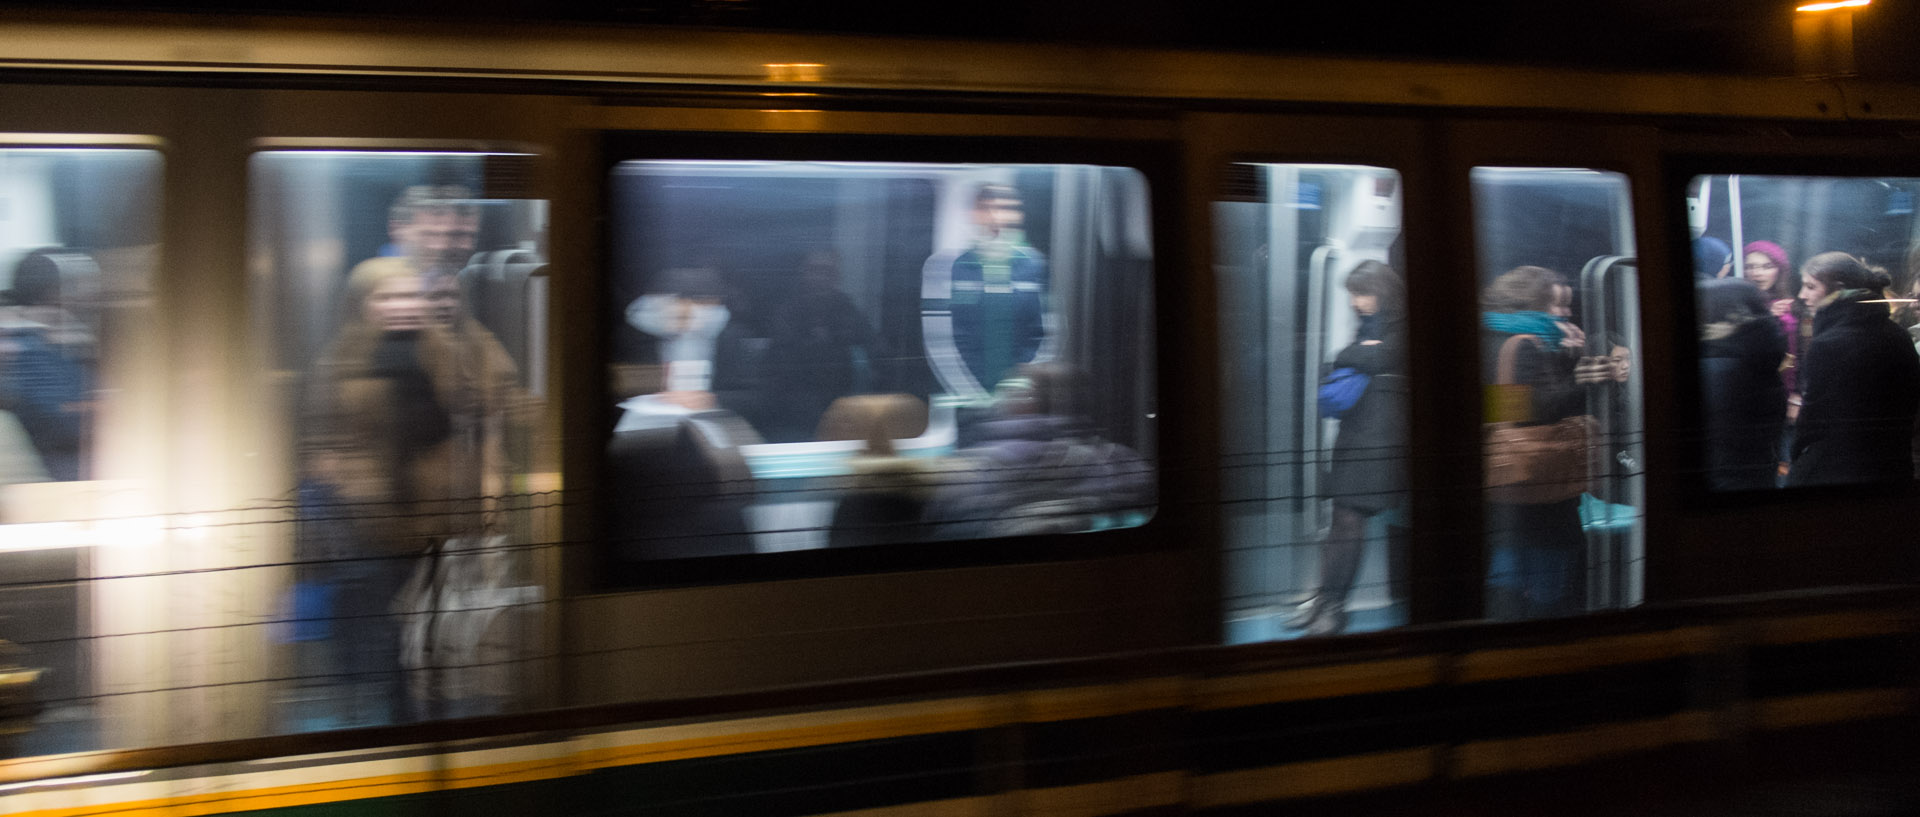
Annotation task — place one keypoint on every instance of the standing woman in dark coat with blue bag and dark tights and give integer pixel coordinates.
(1370, 455)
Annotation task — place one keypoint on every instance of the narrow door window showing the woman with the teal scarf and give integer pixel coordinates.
(1562, 438)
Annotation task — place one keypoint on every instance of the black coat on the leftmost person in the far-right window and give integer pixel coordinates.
(1744, 404)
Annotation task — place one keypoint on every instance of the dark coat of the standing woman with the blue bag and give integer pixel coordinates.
(1370, 454)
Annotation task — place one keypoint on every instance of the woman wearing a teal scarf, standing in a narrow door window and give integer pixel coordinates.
(1537, 555)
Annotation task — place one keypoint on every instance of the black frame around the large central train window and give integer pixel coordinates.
(1157, 160)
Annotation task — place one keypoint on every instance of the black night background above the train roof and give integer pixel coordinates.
(1750, 37)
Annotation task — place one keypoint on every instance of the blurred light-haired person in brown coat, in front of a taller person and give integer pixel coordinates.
(398, 434)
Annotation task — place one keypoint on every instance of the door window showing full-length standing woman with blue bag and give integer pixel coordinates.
(1312, 310)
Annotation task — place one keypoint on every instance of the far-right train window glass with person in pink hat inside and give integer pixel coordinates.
(1808, 331)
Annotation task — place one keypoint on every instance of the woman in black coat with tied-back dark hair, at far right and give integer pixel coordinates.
(1860, 381)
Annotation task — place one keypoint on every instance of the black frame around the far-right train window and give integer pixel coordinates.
(1689, 427)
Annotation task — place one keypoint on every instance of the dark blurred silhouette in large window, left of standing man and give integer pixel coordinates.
(819, 350)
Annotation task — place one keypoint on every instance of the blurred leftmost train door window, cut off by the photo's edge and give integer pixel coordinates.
(80, 235)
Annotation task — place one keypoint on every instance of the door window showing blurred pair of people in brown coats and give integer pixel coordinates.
(402, 302)
